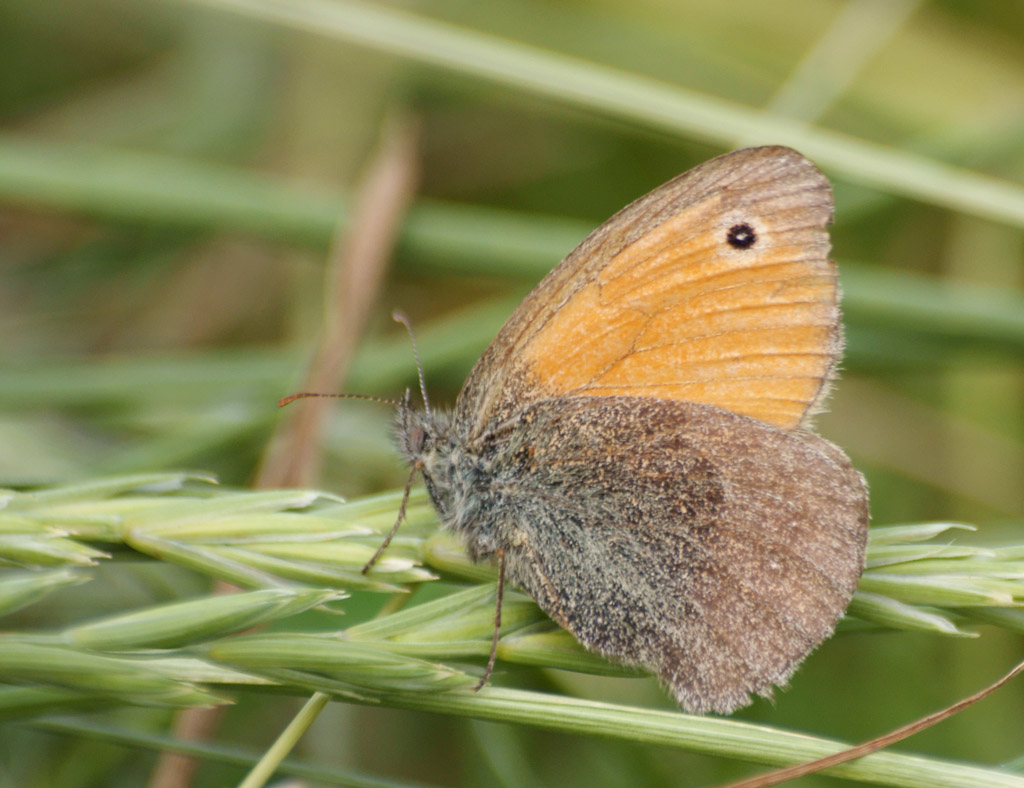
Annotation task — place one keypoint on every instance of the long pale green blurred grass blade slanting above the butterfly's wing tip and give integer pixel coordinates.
(636, 99)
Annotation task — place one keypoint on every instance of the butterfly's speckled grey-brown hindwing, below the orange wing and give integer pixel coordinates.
(654, 532)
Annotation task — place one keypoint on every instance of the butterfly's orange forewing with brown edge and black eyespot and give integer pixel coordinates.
(656, 303)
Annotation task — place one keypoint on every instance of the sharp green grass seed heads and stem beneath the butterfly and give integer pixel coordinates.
(190, 653)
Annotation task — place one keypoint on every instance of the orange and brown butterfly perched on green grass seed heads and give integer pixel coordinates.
(634, 447)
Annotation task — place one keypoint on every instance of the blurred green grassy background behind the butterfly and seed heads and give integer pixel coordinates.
(173, 174)
